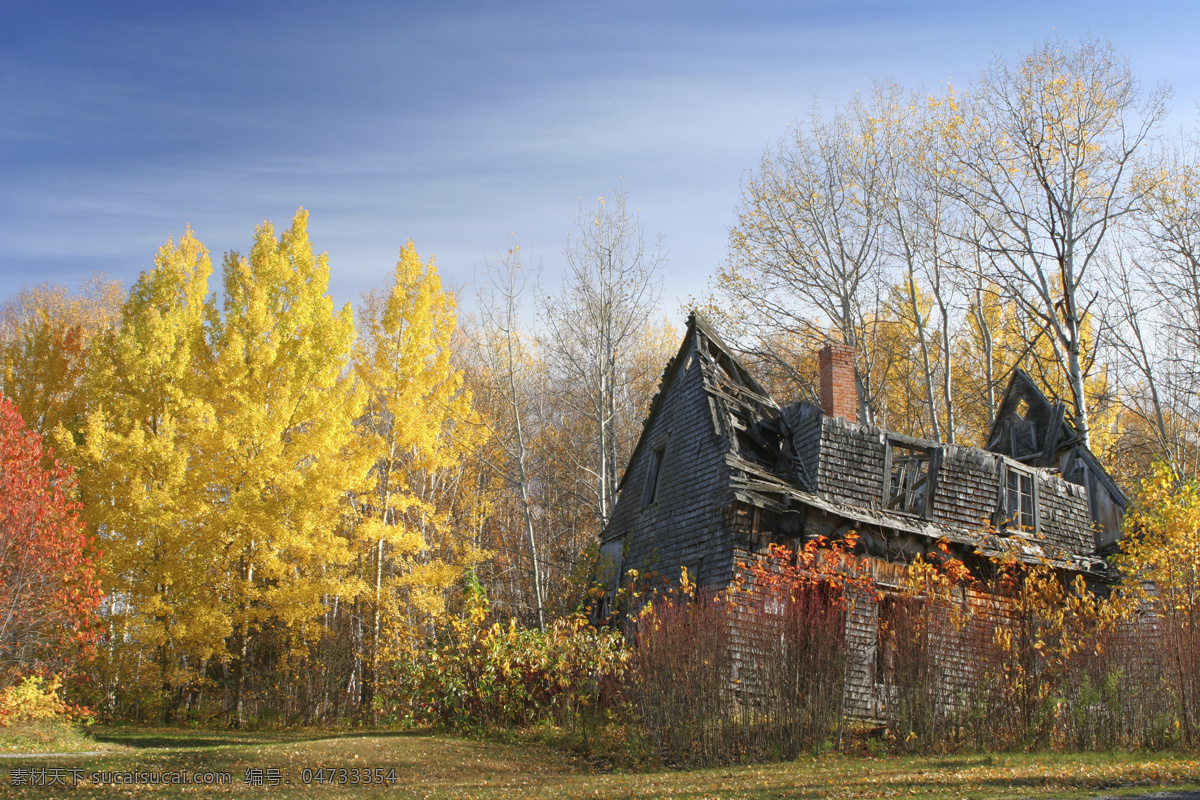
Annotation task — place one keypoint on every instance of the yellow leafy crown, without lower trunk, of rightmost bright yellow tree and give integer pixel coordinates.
(415, 399)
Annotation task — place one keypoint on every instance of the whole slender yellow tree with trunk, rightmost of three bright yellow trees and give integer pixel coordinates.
(412, 549)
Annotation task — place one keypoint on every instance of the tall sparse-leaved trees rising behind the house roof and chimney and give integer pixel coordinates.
(952, 238)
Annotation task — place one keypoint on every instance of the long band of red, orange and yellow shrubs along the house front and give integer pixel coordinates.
(1017, 660)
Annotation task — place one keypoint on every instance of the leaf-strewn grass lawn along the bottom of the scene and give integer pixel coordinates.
(447, 767)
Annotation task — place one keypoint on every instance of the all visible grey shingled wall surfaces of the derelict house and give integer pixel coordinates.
(695, 521)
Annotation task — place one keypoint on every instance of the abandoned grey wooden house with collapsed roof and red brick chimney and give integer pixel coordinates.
(723, 471)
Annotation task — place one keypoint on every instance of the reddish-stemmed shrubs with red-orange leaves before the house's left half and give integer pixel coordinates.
(754, 673)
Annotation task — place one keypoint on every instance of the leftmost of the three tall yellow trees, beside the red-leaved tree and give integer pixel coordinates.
(140, 496)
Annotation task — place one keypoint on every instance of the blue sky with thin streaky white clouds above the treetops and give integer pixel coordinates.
(458, 124)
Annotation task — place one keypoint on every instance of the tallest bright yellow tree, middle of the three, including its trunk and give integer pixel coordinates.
(283, 456)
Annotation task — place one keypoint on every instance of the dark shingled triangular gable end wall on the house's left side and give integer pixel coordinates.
(686, 525)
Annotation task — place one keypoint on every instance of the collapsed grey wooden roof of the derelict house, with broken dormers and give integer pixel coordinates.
(797, 459)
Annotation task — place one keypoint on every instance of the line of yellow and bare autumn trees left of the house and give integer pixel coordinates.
(285, 500)
